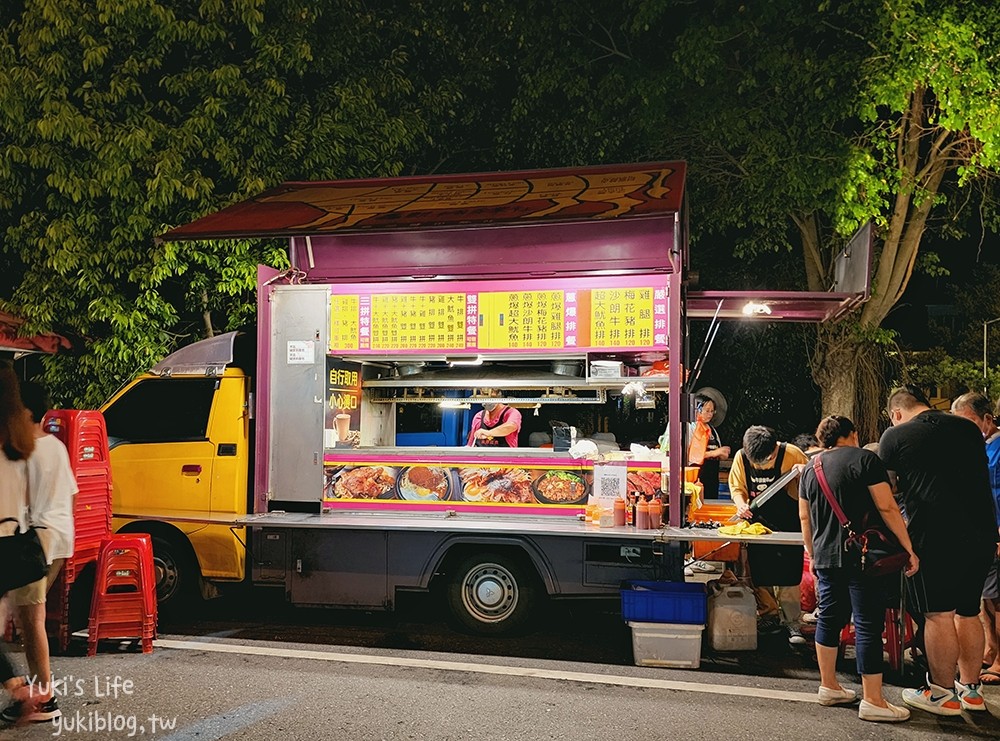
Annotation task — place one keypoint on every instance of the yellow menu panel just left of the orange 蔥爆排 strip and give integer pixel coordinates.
(525, 320)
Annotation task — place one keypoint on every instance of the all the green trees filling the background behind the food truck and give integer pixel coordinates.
(799, 123)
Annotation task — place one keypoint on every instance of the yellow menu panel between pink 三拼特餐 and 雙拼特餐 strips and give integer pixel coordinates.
(418, 321)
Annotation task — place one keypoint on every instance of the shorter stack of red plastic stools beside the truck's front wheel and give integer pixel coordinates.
(124, 601)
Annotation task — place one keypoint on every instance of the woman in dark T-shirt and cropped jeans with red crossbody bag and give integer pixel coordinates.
(846, 480)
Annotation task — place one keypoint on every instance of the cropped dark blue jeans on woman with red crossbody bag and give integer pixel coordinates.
(842, 592)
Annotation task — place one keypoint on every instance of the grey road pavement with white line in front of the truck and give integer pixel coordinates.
(210, 687)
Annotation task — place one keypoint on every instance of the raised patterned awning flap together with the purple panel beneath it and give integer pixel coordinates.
(572, 221)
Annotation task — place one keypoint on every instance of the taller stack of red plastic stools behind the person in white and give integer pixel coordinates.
(86, 439)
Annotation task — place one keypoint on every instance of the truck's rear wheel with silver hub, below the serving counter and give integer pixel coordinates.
(492, 594)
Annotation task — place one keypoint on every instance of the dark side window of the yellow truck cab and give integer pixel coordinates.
(162, 410)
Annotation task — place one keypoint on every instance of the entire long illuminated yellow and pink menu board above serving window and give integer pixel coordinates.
(529, 315)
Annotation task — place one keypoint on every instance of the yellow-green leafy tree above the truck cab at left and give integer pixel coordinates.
(121, 118)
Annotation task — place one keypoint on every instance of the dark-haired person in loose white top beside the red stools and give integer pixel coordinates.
(51, 488)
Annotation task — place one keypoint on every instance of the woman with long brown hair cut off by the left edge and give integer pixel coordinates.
(18, 443)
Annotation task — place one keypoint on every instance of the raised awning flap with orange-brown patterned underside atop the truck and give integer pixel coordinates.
(588, 194)
